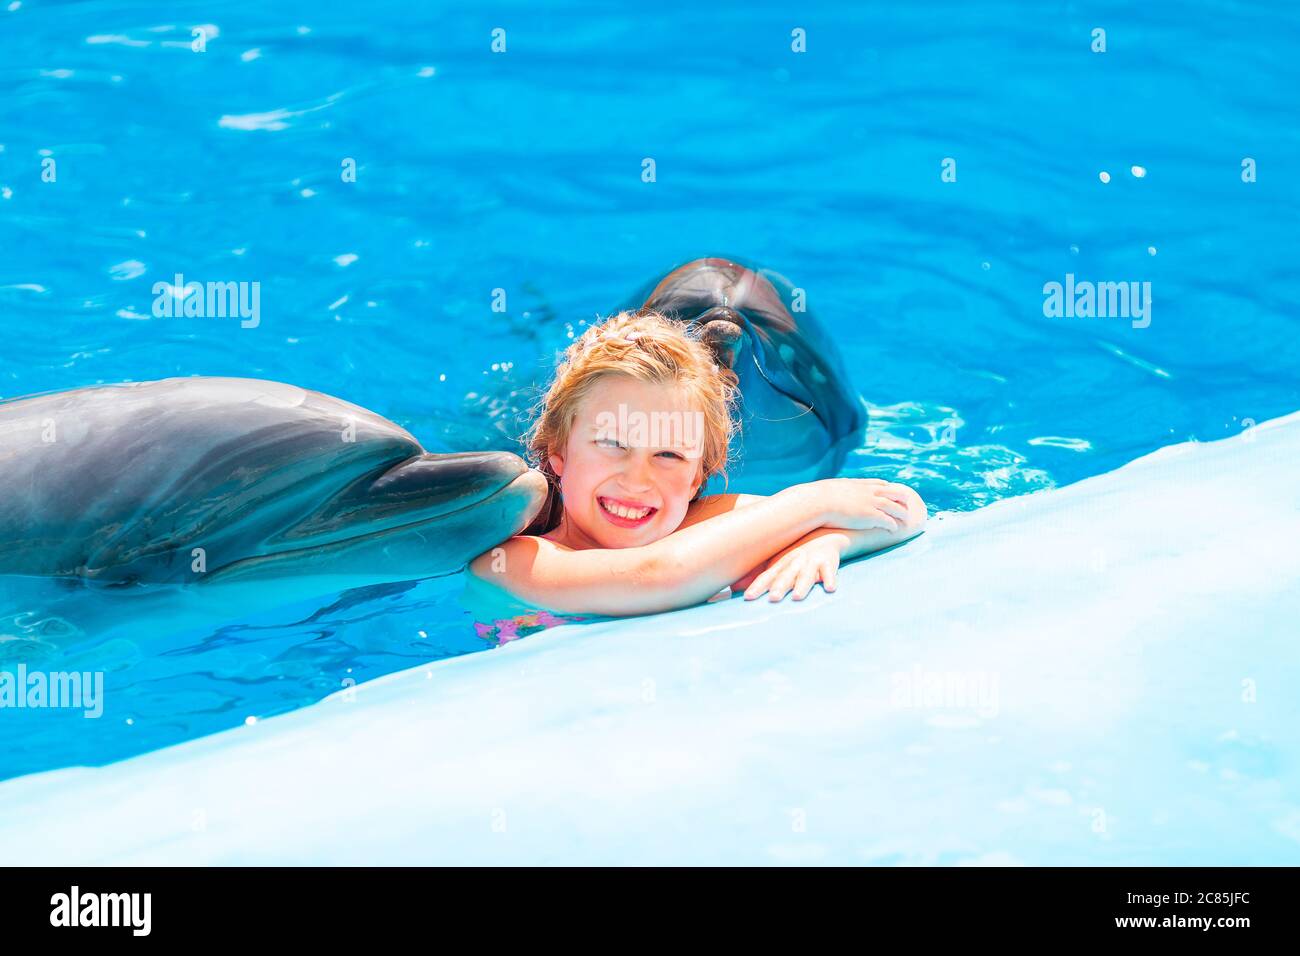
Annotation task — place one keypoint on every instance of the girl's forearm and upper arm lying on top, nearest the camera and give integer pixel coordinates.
(687, 566)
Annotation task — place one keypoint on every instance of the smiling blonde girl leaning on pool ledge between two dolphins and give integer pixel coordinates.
(638, 419)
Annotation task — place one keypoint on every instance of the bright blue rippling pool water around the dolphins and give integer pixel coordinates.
(523, 171)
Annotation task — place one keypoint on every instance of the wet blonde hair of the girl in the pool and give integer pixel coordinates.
(647, 347)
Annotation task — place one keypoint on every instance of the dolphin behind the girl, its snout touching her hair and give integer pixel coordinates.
(799, 414)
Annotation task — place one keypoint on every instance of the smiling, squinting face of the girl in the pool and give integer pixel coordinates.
(632, 464)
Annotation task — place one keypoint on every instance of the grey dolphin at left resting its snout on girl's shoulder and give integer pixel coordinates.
(206, 481)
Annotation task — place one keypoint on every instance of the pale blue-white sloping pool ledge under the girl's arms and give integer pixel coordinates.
(1098, 674)
